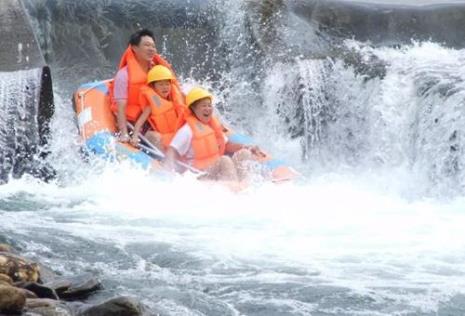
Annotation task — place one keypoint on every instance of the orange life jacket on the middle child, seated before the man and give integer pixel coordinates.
(165, 113)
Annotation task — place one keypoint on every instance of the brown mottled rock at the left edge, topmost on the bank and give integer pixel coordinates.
(18, 268)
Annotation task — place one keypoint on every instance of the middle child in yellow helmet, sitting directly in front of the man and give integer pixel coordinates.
(162, 104)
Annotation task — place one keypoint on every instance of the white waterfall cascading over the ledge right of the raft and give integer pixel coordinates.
(409, 118)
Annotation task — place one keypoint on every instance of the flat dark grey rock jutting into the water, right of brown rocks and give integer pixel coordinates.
(75, 287)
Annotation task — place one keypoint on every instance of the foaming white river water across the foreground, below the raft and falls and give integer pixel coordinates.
(334, 245)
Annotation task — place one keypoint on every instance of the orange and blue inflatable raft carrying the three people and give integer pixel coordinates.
(97, 128)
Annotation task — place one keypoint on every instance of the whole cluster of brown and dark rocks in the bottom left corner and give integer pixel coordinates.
(30, 289)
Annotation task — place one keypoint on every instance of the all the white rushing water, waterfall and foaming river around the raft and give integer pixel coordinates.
(374, 227)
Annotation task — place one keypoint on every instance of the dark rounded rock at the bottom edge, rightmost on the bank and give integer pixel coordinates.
(119, 306)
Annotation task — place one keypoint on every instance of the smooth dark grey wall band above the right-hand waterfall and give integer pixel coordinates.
(386, 22)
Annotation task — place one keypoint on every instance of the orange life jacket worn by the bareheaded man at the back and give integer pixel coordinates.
(137, 77)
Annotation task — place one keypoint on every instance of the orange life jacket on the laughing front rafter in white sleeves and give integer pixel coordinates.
(207, 141)
